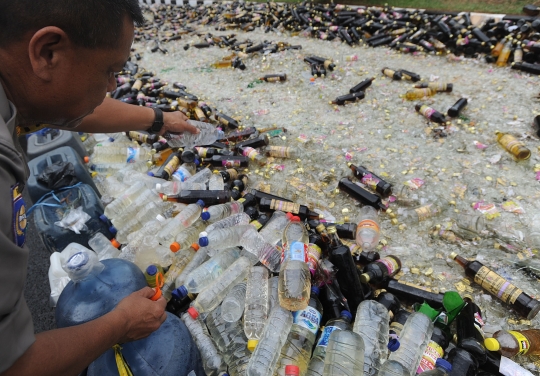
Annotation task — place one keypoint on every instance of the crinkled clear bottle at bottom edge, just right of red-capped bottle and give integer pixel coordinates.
(230, 341)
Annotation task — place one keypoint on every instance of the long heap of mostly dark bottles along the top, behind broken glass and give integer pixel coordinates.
(508, 41)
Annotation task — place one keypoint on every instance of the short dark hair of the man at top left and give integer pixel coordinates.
(88, 23)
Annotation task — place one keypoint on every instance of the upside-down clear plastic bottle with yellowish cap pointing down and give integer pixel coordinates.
(256, 305)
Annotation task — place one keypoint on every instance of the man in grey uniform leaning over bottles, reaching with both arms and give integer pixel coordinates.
(57, 61)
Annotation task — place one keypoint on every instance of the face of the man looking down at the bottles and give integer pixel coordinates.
(84, 78)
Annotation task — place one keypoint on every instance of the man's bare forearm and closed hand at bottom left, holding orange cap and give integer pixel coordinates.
(68, 351)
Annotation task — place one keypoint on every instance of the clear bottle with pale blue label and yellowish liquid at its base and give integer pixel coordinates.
(294, 275)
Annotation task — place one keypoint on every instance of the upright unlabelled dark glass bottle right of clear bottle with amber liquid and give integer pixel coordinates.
(347, 274)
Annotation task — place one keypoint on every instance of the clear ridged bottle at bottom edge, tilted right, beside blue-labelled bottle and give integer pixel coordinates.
(263, 362)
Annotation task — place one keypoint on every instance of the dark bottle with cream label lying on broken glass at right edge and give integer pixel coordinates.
(498, 286)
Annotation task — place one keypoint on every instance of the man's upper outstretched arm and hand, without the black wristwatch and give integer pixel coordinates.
(116, 116)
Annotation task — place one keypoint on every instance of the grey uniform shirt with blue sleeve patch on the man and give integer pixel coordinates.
(16, 328)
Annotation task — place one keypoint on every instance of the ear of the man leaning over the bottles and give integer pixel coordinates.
(45, 49)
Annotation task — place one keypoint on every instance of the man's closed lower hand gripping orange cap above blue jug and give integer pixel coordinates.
(141, 315)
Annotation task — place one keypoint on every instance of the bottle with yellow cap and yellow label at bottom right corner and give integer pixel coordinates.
(510, 343)
